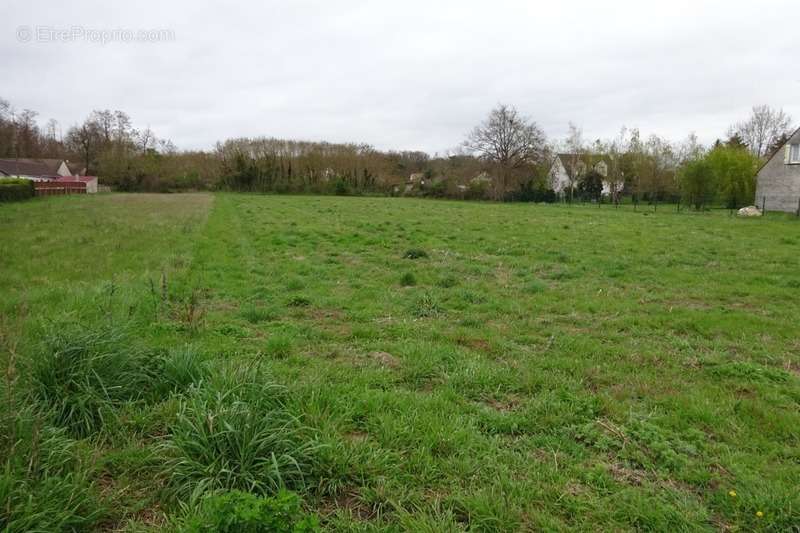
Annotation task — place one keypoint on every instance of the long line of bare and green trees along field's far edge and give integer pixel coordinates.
(505, 157)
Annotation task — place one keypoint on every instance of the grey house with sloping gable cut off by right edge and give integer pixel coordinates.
(778, 181)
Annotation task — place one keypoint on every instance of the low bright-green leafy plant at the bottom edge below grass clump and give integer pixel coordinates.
(242, 512)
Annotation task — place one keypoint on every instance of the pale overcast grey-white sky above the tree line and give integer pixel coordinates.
(401, 75)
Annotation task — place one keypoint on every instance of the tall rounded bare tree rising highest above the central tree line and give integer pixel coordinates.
(508, 140)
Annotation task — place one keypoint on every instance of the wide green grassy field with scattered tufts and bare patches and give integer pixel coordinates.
(398, 364)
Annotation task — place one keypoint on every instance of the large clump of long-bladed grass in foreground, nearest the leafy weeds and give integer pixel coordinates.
(237, 433)
